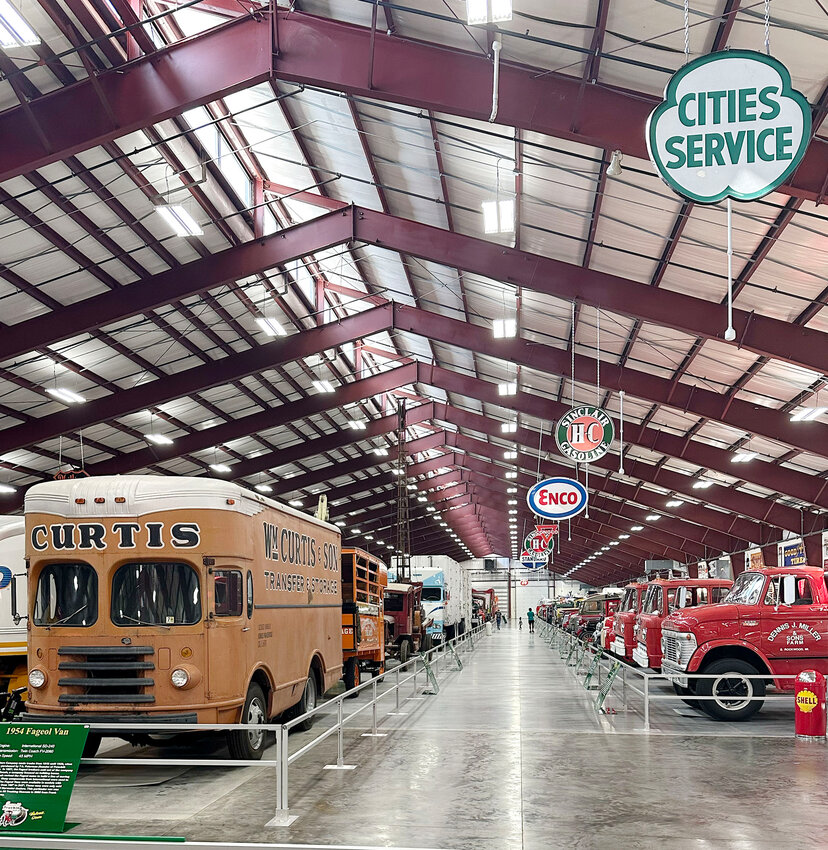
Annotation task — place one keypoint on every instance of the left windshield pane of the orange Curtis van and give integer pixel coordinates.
(67, 595)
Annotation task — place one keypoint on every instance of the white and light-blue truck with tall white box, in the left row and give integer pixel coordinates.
(446, 594)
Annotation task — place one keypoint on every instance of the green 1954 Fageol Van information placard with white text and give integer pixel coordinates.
(38, 766)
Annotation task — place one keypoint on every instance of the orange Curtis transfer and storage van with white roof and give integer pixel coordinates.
(179, 600)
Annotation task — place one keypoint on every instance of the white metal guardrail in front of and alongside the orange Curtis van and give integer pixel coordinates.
(445, 657)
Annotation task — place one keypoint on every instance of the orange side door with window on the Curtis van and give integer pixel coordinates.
(228, 631)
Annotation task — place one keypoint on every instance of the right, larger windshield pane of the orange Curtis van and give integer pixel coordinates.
(155, 594)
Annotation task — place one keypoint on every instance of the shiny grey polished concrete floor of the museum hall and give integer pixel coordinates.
(509, 755)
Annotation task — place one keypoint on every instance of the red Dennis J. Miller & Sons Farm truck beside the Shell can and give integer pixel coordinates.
(773, 621)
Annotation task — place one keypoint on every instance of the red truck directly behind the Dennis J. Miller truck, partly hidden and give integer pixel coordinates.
(663, 597)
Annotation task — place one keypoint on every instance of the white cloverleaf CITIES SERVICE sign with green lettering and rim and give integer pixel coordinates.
(730, 125)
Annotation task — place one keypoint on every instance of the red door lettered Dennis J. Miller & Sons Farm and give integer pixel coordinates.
(794, 628)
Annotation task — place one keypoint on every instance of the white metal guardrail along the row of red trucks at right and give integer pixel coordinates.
(569, 646)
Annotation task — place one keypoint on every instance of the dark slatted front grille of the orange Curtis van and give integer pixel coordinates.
(105, 674)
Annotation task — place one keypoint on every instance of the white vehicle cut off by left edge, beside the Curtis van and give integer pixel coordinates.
(12, 637)
